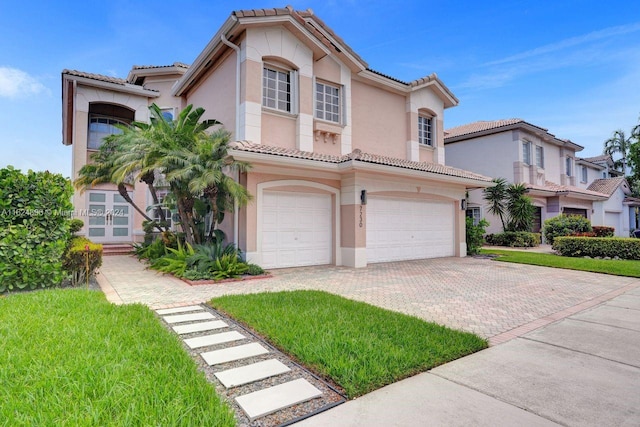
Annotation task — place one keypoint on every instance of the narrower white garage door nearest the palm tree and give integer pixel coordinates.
(296, 229)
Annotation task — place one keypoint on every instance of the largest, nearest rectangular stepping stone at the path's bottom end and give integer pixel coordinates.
(272, 399)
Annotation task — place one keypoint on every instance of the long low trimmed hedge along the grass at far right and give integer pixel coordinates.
(624, 248)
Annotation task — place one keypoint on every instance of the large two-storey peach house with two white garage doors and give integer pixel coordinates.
(348, 163)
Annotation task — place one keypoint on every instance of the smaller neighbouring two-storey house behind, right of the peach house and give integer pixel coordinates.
(521, 152)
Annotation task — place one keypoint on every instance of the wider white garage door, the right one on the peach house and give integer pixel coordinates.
(399, 229)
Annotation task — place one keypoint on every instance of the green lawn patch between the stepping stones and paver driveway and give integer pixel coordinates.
(359, 346)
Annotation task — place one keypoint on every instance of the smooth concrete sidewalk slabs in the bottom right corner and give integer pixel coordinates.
(581, 371)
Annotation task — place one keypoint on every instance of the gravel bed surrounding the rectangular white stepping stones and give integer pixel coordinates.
(330, 393)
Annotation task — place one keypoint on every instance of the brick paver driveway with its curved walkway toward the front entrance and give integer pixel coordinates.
(493, 299)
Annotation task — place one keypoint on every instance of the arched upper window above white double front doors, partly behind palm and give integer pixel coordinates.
(103, 119)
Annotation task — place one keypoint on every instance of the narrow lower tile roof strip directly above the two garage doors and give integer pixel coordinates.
(359, 156)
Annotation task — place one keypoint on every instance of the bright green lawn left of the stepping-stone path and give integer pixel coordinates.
(70, 358)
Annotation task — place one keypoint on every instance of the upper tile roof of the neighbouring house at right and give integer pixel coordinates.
(483, 128)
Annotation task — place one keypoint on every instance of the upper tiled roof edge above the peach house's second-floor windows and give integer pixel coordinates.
(320, 36)
